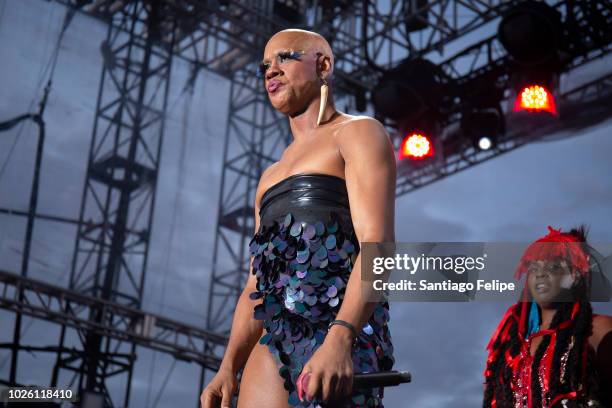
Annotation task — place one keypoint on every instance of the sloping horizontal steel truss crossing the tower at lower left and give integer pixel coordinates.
(72, 308)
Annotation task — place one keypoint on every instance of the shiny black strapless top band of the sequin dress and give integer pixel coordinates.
(308, 196)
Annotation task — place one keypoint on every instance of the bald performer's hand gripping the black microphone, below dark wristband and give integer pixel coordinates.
(331, 369)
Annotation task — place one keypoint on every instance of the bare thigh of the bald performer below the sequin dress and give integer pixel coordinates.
(261, 385)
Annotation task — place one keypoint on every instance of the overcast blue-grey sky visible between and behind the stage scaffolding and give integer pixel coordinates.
(511, 198)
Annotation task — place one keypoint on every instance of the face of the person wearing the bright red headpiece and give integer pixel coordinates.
(548, 281)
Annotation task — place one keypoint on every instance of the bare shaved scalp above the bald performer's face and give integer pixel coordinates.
(299, 39)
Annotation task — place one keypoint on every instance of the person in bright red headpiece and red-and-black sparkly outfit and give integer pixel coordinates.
(550, 350)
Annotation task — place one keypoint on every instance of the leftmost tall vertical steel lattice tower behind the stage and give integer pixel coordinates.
(110, 255)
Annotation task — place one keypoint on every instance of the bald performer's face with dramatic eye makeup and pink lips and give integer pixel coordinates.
(288, 58)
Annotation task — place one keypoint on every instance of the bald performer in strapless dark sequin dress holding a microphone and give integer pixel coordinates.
(301, 327)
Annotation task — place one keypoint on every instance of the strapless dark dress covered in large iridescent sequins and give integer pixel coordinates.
(303, 254)
